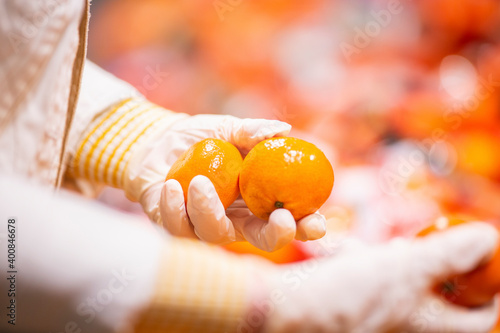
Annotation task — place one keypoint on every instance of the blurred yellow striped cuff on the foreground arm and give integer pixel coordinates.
(201, 288)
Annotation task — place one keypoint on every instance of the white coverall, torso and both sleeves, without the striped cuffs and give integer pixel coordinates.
(39, 43)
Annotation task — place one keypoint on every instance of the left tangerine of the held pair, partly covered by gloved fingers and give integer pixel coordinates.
(216, 159)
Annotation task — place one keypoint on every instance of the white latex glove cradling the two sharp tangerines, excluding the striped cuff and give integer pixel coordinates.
(164, 202)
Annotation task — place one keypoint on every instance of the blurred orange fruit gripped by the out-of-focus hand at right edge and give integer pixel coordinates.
(470, 289)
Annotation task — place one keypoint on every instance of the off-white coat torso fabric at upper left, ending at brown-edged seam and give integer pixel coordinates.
(39, 42)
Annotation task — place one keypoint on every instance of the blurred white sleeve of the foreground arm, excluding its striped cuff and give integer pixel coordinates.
(77, 265)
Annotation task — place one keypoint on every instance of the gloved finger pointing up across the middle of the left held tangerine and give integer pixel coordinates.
(207, 213)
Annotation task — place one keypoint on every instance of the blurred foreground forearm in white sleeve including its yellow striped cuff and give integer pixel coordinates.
(80, 266)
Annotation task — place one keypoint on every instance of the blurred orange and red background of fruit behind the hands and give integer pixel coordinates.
(402, 96)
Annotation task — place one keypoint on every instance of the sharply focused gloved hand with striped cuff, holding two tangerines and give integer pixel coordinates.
(142, 171)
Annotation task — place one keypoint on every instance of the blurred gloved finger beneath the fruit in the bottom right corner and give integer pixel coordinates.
(437, 315)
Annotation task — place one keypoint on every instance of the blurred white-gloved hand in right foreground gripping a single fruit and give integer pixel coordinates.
(384, 288)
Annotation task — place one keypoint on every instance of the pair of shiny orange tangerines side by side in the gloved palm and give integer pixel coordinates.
(281, 172)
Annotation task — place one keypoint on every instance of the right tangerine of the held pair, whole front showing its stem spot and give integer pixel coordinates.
(285, 172)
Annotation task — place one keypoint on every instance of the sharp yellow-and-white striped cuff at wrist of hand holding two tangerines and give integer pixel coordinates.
(103, 154)
